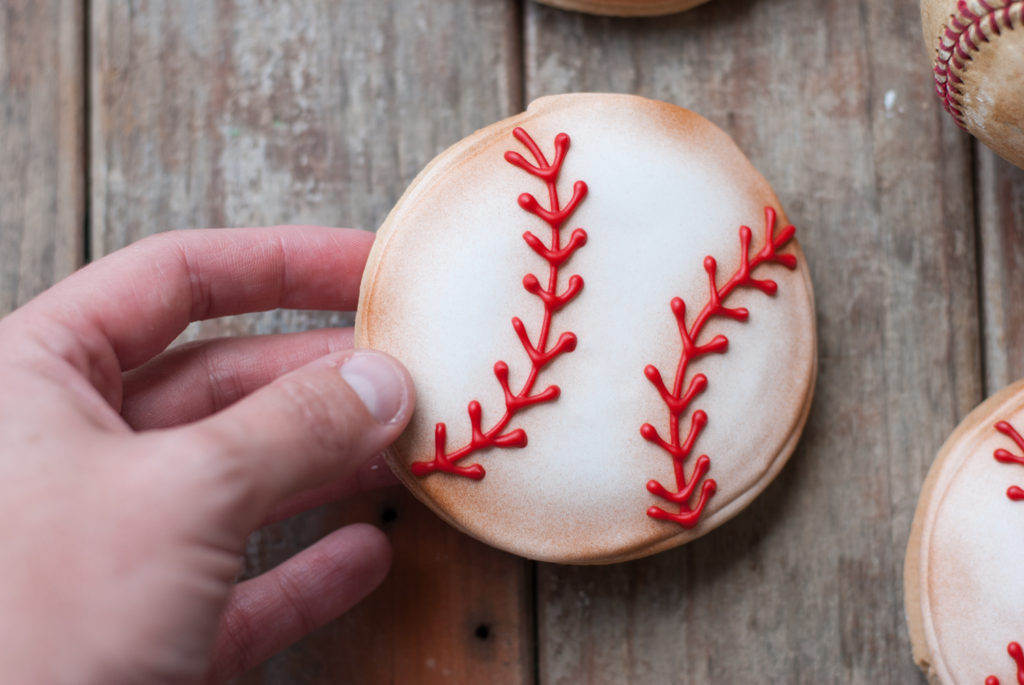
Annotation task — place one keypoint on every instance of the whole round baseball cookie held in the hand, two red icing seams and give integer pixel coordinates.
(610, 324)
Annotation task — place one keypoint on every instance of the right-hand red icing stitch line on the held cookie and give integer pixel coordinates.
(677, 401)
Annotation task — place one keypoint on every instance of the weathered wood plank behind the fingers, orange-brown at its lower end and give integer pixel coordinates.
(260, 113)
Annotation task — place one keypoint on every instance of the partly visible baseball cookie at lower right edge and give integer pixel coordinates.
(963, 580)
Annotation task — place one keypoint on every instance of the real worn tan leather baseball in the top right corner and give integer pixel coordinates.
(978, 53)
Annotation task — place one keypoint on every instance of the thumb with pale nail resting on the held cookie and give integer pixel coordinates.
(314, 425)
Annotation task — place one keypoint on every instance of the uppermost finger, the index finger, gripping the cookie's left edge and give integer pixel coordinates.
(136, 302)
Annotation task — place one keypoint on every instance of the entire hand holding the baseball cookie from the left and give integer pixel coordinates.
(132, 477)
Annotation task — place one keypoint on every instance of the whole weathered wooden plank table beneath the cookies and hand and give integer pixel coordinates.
(119, 120)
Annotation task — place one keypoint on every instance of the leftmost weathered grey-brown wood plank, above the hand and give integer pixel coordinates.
(42, 173)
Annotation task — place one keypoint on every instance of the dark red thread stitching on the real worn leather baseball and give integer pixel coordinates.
(962, 36)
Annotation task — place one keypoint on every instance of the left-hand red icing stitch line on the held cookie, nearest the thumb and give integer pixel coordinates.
(540, 355)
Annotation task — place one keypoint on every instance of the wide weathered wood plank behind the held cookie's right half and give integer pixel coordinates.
(833, 104)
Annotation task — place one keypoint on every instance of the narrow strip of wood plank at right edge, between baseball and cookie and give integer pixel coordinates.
(1001, 225)
